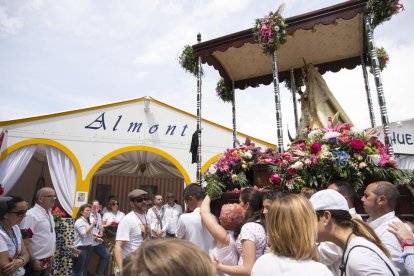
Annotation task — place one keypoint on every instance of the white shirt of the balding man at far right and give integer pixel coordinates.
(380, 226)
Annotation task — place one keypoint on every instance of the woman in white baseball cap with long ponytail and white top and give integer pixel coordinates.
(364, 253)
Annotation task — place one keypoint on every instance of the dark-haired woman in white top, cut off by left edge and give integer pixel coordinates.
(13, 254)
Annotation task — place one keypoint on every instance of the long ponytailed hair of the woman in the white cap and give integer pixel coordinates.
(360, 228)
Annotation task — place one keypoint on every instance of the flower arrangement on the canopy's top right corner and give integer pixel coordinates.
(383, 10)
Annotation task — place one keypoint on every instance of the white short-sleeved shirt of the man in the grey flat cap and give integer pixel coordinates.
(129, 231)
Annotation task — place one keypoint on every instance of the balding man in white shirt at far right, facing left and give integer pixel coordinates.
(379, 200)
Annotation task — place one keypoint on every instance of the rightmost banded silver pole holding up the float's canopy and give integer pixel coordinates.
(378, 83)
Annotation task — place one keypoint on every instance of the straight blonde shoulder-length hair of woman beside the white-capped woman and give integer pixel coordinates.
(292, 228)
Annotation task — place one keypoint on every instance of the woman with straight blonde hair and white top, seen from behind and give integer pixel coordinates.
(291, 230)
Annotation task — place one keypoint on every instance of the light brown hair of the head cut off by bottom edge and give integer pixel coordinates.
(168, 257)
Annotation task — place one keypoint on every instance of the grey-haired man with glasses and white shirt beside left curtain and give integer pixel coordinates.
(41, 246)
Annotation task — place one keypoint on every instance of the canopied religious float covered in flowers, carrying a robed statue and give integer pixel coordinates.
(299, 50)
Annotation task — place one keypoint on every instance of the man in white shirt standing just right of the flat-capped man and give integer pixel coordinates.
(157, 215)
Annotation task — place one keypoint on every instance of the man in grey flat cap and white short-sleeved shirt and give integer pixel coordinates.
(134, 228)
